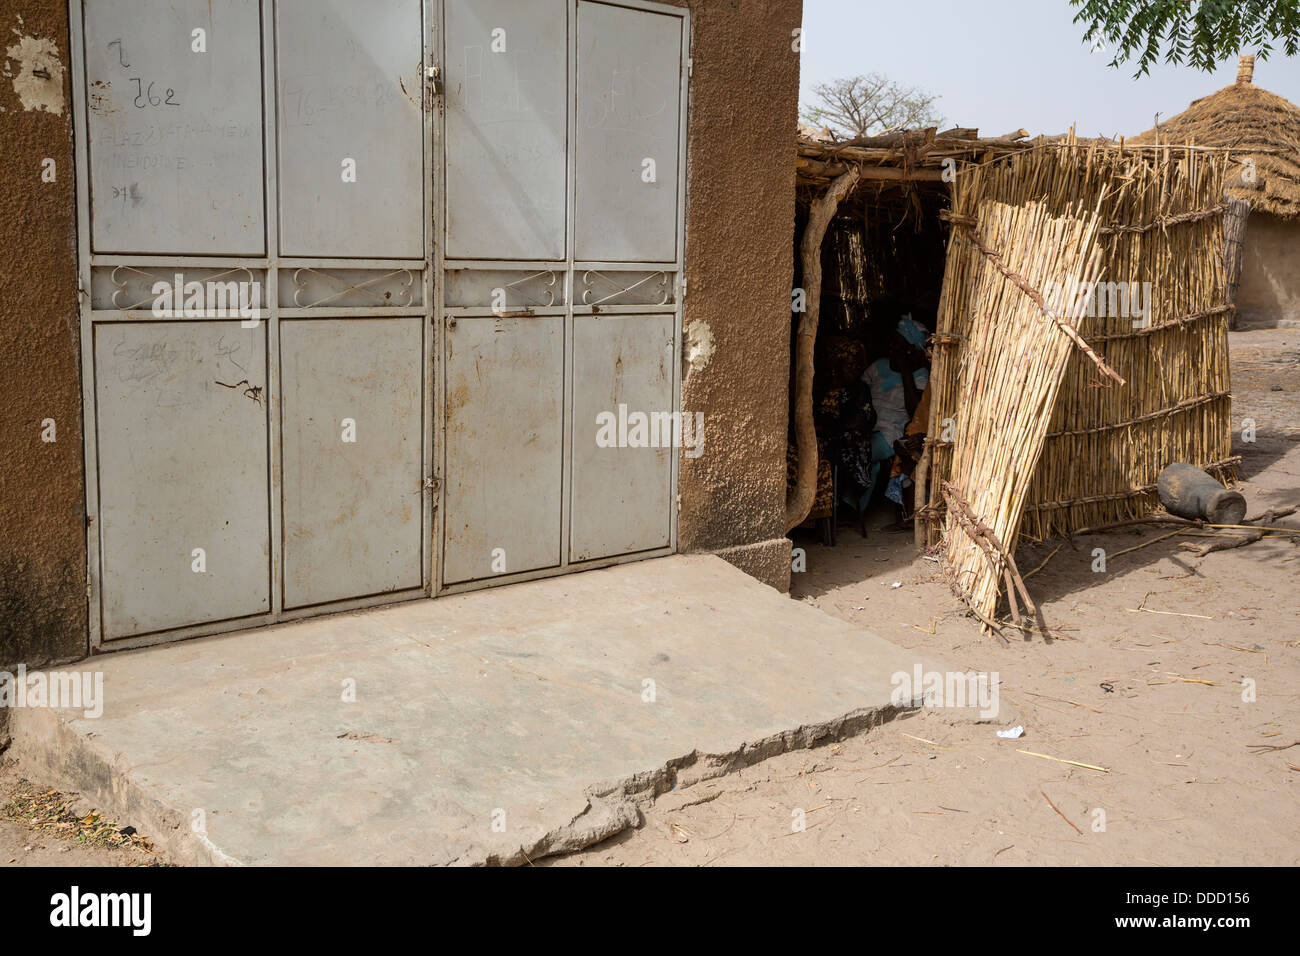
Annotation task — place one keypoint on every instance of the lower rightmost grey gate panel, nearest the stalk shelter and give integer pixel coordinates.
(622, 496)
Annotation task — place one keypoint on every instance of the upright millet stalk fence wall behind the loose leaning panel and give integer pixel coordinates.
(1162, 325)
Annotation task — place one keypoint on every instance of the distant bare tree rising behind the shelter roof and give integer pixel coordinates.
(872, 105)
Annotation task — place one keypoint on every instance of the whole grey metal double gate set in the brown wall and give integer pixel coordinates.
(363, 288)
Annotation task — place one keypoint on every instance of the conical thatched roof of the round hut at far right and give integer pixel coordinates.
(1255, 124)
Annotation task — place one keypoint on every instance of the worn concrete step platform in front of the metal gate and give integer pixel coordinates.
(492, 728)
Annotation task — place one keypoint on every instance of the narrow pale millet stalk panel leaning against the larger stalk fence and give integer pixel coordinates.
(1012, 365)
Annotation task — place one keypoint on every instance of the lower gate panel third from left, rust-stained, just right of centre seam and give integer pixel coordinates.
(504, 445)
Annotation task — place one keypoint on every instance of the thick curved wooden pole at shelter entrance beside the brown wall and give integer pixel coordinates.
(800, 500)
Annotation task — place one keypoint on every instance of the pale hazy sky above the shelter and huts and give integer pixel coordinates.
(1006, 64)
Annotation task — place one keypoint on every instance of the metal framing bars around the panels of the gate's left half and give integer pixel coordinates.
(272, 313)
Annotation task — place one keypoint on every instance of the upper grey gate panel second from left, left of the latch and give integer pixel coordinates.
(350, 89)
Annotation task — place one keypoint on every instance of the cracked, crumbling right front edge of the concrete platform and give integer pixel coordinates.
(614, 807)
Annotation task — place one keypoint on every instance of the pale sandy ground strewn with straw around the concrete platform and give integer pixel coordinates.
(1155, 699)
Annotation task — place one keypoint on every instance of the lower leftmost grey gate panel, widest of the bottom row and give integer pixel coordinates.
(183, 466)
